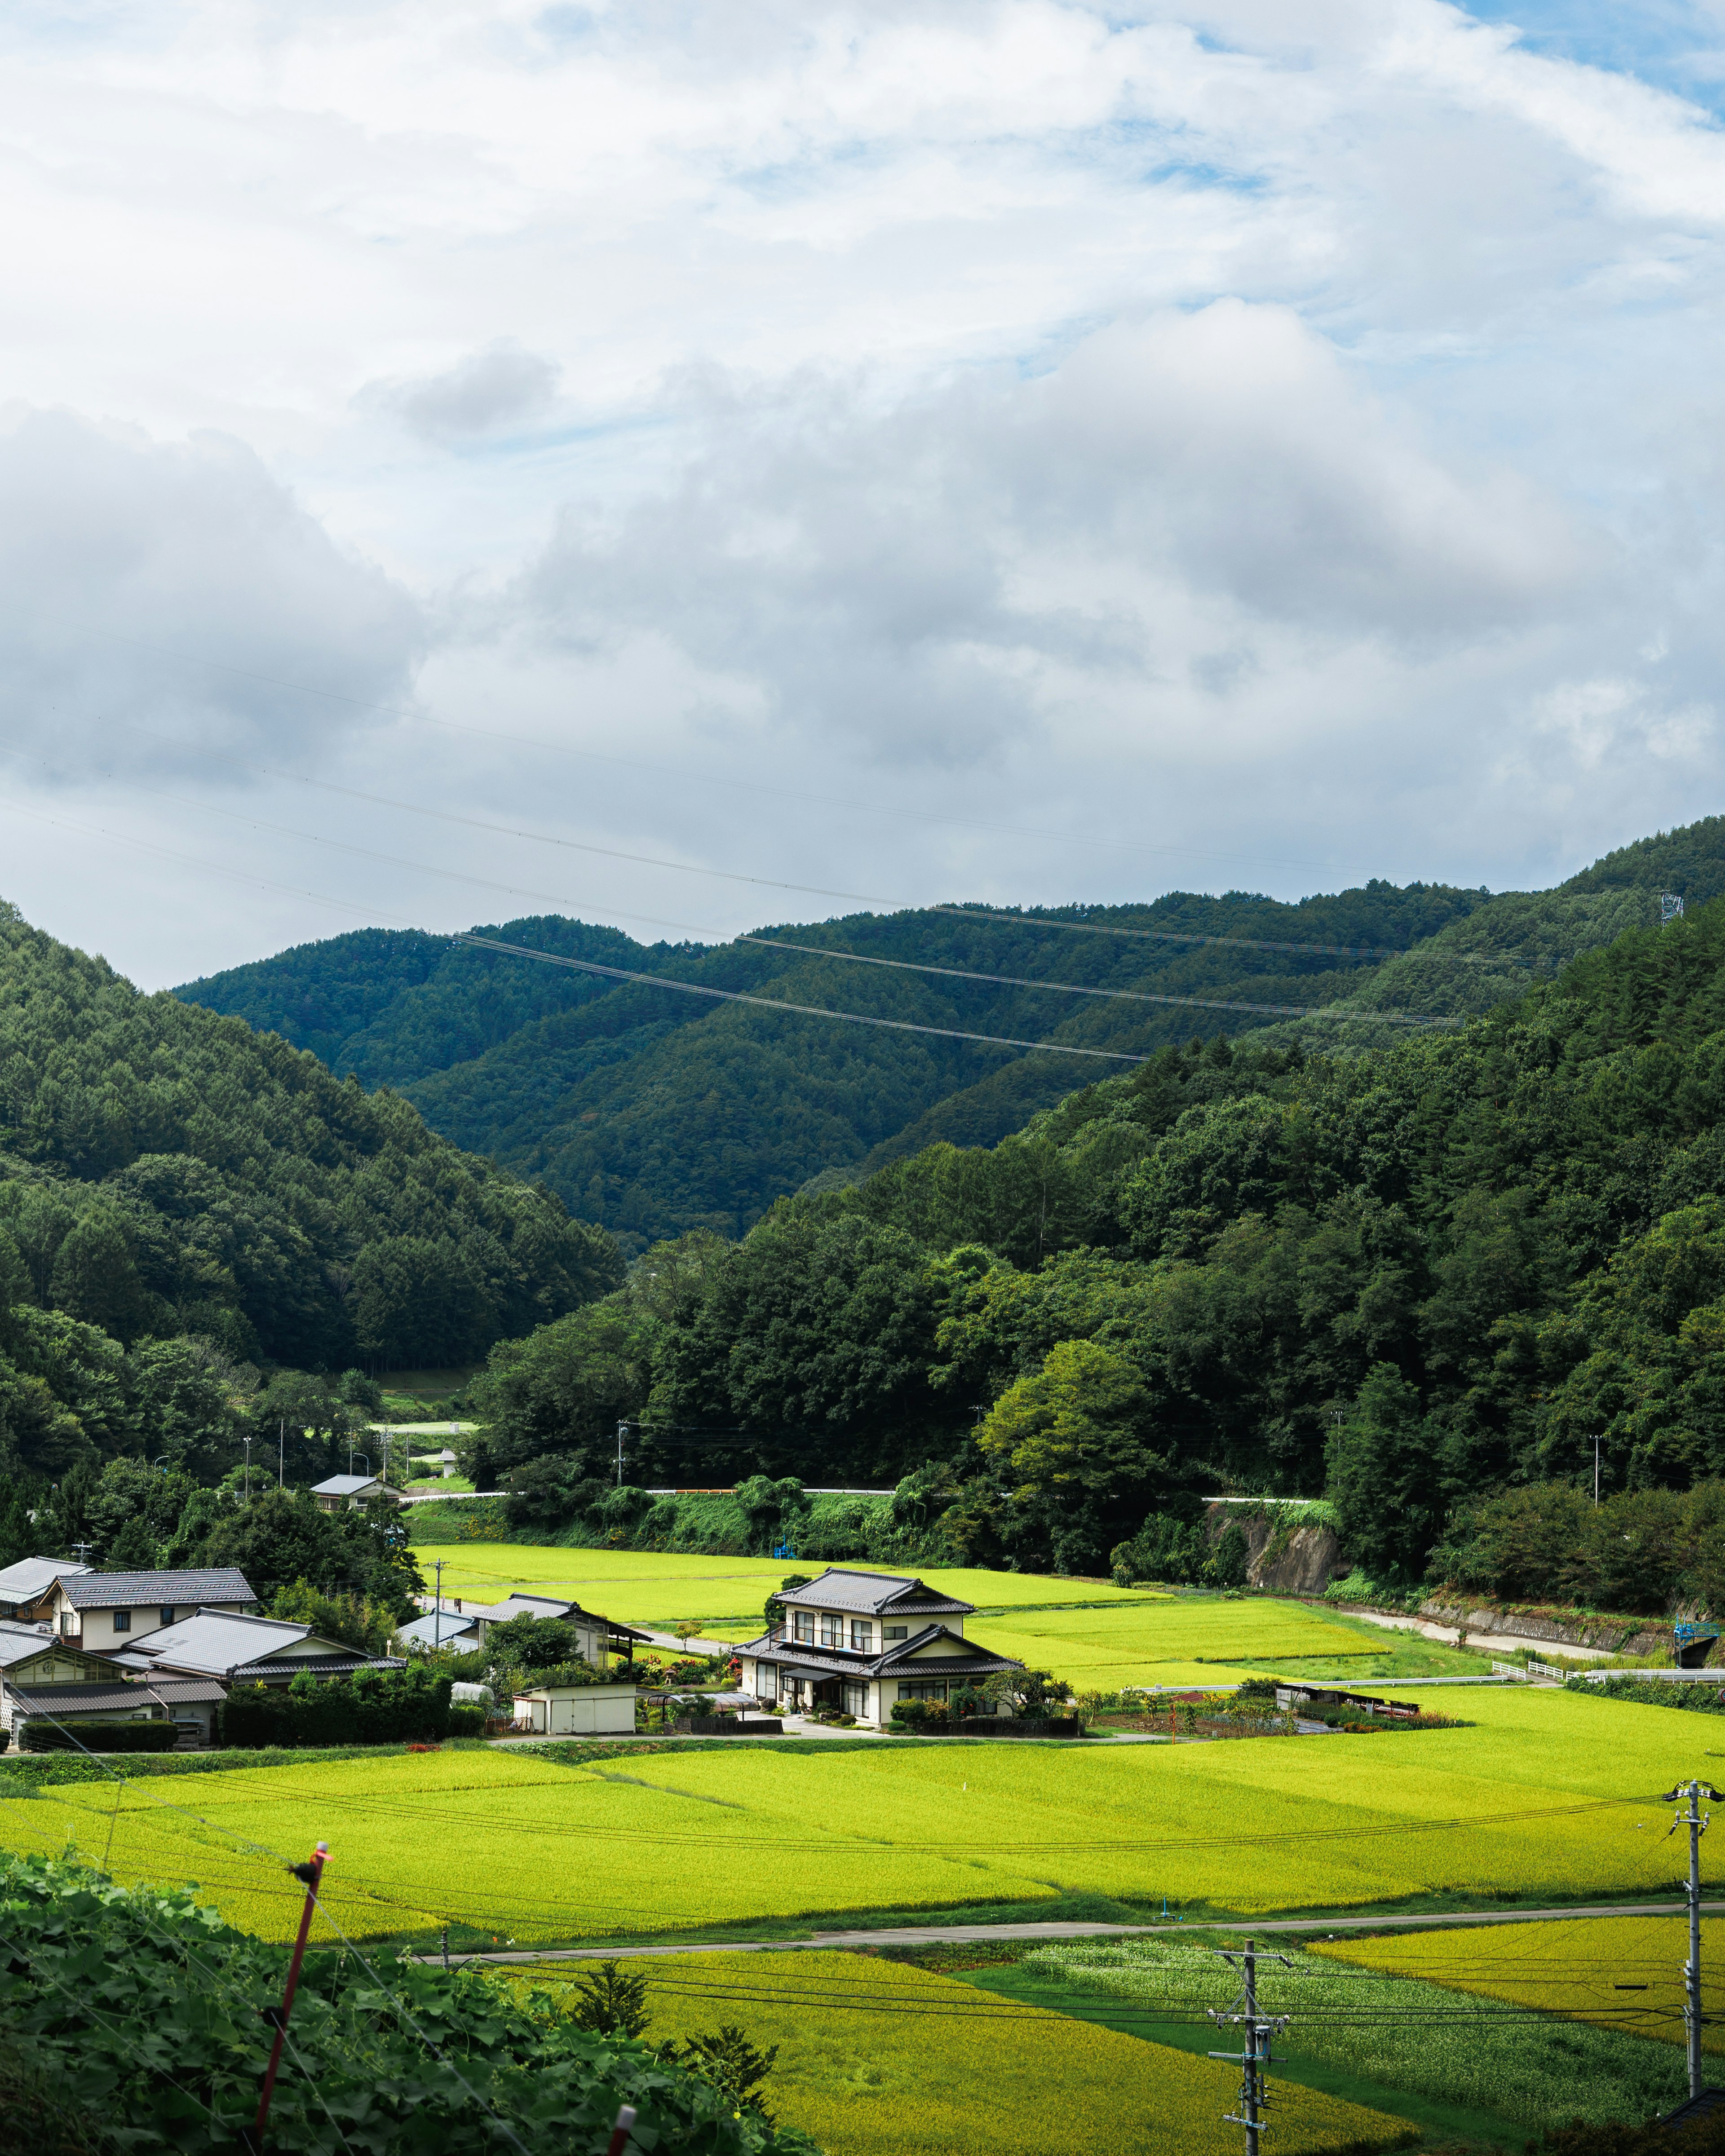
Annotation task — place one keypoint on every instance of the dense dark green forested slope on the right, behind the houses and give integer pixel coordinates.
(1398, 1280)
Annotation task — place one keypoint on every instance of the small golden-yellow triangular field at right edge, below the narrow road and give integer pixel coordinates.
(1582, 1970)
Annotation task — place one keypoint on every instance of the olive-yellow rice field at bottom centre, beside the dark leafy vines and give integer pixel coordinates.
(877, 2060)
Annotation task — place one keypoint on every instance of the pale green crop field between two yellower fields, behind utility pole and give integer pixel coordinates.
(1407, 2034)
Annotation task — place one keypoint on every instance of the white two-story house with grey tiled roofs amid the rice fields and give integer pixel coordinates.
(861, 1642)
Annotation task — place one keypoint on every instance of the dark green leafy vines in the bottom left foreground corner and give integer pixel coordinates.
(135, 2021)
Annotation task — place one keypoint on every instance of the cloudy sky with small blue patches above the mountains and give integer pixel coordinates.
(713, 465)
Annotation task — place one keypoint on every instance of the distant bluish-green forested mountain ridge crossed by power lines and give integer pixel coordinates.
(657, 1114)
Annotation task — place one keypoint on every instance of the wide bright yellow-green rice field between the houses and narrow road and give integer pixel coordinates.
(1549, 1795)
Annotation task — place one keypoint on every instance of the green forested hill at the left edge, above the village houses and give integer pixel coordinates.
(174, 1174)
